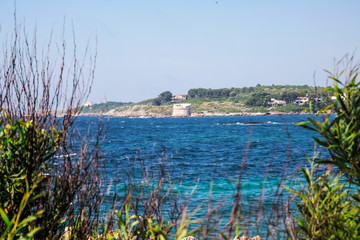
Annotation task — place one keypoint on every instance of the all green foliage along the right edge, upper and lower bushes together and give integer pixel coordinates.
(328, 207)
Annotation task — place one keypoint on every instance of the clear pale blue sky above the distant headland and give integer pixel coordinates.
(145, 47)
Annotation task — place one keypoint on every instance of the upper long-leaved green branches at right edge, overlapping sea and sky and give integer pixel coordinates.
(341, 134)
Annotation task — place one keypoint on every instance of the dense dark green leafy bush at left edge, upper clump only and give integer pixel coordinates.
(24, 152)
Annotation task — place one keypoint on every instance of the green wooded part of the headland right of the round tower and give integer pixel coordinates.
(254, 99)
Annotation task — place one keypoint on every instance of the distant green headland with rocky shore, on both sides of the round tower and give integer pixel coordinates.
(226, 101)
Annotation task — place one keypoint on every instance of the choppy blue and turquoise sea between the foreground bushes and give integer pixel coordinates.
(210, 157)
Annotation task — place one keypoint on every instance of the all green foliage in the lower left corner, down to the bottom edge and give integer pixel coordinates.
(28, 187)
